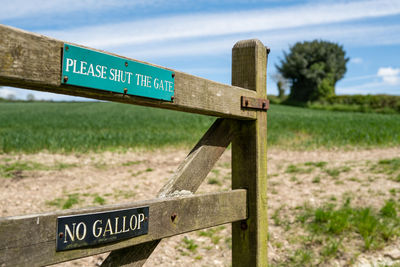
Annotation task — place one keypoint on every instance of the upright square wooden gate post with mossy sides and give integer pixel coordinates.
(249, 158)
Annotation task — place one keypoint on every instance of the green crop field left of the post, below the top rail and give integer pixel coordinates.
(94, 126)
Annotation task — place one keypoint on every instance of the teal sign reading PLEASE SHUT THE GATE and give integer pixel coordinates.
(92, 69)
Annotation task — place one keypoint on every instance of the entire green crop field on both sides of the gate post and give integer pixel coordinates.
(96, 126)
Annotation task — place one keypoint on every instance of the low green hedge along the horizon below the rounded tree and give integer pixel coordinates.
(388, 104)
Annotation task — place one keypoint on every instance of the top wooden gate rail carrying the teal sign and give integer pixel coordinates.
(34, 62)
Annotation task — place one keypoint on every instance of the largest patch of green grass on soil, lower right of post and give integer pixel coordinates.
(322, 233)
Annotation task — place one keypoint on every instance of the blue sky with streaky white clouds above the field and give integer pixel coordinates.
(197, 37)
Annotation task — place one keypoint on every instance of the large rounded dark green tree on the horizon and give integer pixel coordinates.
(313, 68)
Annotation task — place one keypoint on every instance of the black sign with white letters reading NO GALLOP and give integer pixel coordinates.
(97, 228)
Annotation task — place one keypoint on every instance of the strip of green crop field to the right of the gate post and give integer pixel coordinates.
(301, 128)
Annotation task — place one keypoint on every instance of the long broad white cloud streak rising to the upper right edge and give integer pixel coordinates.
(201, 25)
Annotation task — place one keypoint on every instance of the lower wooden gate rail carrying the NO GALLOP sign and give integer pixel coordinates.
(31, 240)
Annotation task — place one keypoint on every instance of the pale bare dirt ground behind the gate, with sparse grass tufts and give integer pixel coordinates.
(46, 182)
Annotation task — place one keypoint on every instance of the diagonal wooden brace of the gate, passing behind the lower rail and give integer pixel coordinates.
(188, 177)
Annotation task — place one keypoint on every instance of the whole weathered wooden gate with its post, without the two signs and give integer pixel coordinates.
(33, 61)
